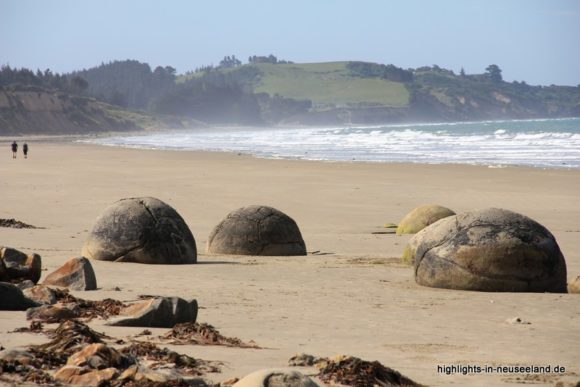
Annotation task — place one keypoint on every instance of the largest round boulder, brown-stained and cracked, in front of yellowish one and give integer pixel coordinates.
(490, 250)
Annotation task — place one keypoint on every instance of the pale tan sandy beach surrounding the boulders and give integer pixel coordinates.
(353, 297)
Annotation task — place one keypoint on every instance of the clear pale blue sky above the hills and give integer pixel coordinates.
(533, 40)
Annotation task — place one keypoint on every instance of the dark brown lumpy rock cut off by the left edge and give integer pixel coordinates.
(17, 266)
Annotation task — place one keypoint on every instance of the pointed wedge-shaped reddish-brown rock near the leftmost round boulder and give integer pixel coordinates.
(75, 274)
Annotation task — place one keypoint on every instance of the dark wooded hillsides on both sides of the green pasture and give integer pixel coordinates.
(225, 93)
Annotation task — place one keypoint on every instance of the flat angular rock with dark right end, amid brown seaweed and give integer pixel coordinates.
(160, 312)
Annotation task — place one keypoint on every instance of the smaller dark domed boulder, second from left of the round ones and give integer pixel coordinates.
(256, 230)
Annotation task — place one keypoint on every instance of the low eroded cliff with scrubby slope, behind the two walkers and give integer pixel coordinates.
(38, 111)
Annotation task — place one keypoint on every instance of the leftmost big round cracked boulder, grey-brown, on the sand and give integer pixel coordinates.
(141, 230)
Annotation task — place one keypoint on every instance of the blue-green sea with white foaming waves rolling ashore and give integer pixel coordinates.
(542, 143)
